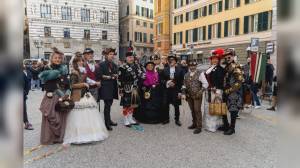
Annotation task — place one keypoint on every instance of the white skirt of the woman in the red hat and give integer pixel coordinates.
(211, 123)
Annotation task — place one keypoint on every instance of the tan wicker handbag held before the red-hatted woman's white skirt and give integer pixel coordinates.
(217, 107)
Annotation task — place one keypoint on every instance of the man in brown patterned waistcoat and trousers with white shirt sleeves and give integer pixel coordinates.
(194, 84)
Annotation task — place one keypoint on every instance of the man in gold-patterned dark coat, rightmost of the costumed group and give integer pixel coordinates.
(232, 91)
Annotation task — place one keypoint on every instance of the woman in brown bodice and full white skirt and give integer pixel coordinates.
(84, 123)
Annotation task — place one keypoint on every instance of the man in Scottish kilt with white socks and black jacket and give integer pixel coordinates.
(129, 76)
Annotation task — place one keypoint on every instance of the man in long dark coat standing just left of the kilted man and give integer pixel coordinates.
(108, 74)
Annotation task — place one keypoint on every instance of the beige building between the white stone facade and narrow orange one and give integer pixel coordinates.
(136, 27)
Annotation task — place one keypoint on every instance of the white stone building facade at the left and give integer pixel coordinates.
(71, 26)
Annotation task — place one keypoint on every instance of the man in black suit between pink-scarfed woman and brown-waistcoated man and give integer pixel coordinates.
(172, 79)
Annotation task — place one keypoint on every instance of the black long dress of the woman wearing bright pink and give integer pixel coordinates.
(149, 112)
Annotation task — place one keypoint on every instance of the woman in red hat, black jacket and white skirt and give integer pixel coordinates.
(215, 77)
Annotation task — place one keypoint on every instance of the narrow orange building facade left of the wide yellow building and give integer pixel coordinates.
(162, 35)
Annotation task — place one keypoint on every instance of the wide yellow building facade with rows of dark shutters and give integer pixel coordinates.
(201, 26)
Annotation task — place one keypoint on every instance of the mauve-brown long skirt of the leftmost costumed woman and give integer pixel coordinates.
(53, 122)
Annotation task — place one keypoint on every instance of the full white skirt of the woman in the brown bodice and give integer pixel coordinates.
(84, 123)
